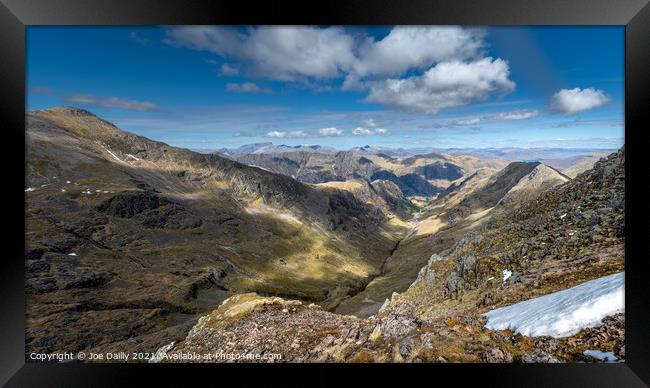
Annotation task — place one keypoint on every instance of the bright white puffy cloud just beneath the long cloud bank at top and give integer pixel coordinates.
(445, 85)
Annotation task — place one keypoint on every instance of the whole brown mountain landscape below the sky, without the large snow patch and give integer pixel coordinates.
(367, 254)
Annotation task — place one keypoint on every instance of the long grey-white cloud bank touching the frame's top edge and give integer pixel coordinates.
(291, 52)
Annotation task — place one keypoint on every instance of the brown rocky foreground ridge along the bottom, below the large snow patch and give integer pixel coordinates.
(251, 326)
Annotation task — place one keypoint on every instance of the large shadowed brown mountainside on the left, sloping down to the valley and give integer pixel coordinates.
(133, 237)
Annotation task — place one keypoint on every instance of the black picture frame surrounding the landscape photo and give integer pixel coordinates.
(15, 15)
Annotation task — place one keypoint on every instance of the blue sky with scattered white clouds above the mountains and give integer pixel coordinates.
(213, 87)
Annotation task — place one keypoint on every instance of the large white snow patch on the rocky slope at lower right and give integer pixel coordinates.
(563, 313)
